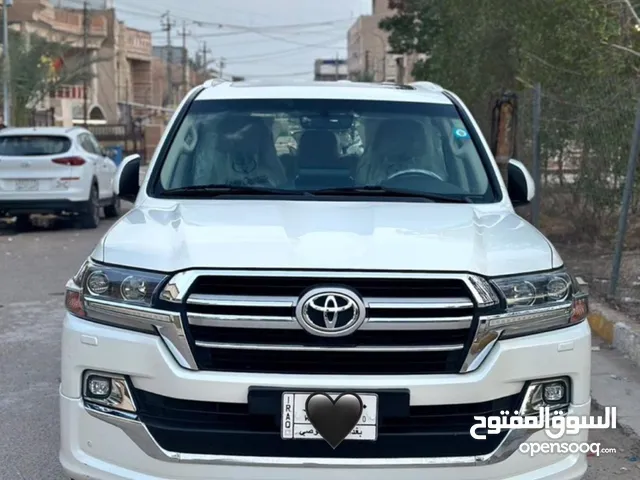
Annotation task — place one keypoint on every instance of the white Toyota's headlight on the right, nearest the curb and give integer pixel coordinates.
(536, 303)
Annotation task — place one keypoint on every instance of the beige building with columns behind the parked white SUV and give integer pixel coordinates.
(119, 62)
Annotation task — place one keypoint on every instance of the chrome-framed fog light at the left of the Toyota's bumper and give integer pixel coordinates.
(107, 392)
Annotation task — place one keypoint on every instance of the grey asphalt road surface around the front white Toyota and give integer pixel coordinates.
(34, 268)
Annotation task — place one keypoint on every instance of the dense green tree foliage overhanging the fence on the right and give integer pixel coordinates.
(582, 52)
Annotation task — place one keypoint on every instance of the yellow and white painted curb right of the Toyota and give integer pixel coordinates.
(616, 330)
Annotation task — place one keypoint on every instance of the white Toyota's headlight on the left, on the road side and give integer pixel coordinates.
(116, 296)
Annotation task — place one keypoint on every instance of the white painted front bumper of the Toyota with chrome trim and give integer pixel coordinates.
(100, 447)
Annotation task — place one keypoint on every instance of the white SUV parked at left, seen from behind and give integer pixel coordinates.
(54, 170)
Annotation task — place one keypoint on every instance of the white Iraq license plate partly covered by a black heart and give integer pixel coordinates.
(296, 425)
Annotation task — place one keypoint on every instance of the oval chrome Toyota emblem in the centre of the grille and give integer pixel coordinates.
(330, 312)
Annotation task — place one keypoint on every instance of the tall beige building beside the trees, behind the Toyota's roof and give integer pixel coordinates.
(368, 49)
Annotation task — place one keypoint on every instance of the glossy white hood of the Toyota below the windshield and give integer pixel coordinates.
(326, 235)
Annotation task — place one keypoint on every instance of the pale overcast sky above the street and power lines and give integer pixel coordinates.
(241, 31)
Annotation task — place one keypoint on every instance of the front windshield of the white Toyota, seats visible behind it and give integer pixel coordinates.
(316, 146)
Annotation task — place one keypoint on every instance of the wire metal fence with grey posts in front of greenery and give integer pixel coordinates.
(582, 153)
